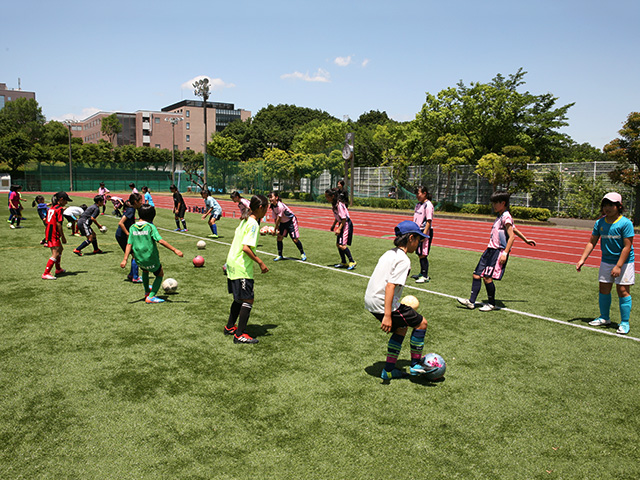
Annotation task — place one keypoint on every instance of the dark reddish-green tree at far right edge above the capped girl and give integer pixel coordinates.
(626, 152)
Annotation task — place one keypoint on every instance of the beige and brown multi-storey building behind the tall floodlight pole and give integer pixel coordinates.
(181, 124)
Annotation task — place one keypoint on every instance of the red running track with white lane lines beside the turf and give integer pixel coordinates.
(553, 244)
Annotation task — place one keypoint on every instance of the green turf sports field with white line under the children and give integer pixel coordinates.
(94, 383)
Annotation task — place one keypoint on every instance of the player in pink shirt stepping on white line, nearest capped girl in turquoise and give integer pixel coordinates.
(493, 261)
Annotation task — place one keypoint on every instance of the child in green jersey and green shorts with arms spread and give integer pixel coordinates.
(143, 244)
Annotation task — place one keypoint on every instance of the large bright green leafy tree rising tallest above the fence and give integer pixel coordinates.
(494, 115)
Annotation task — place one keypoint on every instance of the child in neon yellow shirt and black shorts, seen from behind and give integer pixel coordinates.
(240, 260)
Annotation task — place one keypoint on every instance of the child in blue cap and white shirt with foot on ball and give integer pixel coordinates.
(382, 299)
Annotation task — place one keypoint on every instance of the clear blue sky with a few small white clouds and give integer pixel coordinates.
(345, 57)
